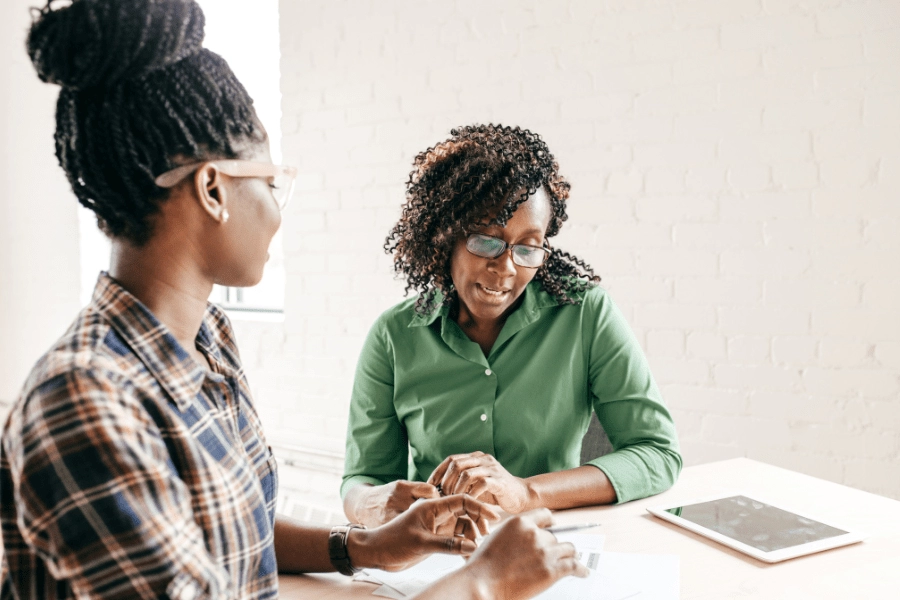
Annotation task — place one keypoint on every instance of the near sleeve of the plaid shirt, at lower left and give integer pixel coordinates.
(98, 496)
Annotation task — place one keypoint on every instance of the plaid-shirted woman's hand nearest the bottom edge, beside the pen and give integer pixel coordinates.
(520, 560)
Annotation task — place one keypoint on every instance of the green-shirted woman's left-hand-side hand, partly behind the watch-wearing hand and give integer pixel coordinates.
(377, 505)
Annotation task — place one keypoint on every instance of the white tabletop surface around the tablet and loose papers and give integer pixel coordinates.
(869, 570)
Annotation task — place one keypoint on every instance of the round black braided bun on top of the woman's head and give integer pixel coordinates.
(93, 43)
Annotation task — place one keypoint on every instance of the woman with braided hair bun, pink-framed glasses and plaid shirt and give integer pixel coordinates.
(133, 463)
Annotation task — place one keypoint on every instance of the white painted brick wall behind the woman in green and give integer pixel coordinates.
(735, 169)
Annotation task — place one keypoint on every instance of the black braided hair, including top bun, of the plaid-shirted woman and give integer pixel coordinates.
(139, 96)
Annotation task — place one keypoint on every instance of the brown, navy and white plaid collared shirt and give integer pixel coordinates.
(130, 471)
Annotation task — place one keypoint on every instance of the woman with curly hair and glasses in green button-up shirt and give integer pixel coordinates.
(484, 383)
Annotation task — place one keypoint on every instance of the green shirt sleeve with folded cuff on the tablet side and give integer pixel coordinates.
(629, 405)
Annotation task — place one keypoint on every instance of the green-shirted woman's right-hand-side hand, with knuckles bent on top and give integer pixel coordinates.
(482, 476)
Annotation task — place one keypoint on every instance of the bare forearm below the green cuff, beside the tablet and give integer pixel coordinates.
(582, 486)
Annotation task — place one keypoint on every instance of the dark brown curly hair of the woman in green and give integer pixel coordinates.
(478, 177)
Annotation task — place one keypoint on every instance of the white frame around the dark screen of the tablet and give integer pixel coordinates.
(851, 537)
